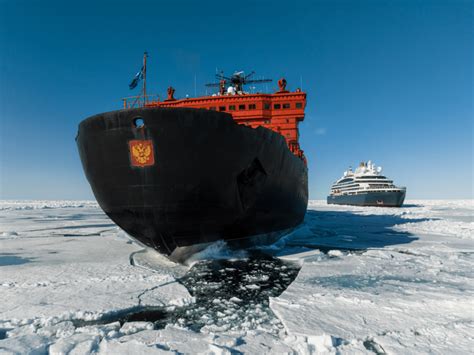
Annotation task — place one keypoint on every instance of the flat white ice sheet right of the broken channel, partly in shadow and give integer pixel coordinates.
(409, 289)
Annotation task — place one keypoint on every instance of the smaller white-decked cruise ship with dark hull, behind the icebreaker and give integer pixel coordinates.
(366, 186)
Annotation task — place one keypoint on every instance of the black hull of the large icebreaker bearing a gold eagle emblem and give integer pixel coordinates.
(209, 178)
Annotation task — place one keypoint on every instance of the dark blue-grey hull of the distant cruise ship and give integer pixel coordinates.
(386, 199)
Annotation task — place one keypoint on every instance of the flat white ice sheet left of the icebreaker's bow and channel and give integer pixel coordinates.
(63, 261)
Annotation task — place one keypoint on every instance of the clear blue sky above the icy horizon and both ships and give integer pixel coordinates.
(389, 81)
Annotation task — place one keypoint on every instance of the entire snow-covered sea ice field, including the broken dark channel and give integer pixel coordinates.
(348, 280)
